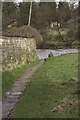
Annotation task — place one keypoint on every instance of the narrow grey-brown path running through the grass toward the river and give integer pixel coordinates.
(12, 96)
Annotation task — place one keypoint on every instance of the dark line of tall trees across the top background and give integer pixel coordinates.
(43, 13)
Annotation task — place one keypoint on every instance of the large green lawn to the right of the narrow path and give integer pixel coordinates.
(50, 94)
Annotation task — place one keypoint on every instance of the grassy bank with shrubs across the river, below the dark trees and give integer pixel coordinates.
(53, 40)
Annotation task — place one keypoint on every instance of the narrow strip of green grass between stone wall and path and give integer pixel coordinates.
(8, 77)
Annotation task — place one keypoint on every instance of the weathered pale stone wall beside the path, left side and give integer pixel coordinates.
(17, 51)
